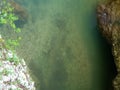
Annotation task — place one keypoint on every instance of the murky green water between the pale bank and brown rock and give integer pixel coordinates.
(62, 46)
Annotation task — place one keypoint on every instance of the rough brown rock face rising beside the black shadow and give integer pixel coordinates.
(108, 16)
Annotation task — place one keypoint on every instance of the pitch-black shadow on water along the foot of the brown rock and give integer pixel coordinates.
(109, 66)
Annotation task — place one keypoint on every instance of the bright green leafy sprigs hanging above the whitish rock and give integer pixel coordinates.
(7, 17)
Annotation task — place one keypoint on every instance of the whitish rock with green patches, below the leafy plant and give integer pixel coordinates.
(14, 73)
